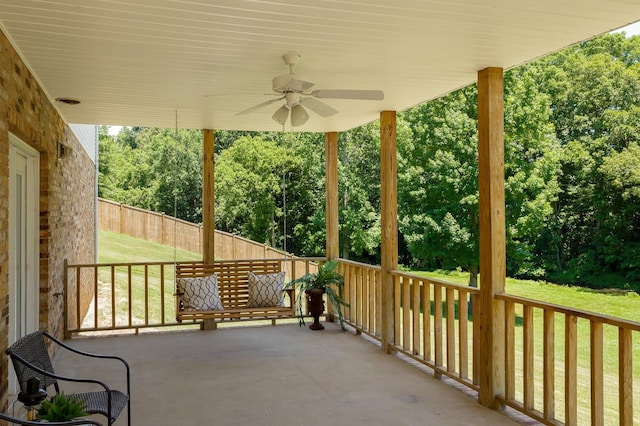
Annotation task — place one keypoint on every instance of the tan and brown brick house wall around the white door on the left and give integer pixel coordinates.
(67, 198)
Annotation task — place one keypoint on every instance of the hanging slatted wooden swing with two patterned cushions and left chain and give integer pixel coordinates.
(230, 290)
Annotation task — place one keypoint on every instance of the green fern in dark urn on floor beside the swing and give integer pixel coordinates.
(313, 286)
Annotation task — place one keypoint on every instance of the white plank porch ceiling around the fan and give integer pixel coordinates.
(139, 62)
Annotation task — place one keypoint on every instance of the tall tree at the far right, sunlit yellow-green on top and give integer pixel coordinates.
(594, 90)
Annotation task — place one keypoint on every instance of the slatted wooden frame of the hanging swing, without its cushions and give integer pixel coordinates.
(233, 286)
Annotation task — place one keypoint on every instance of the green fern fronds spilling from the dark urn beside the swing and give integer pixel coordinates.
(327, 279)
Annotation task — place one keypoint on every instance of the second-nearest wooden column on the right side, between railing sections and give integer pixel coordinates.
(388, 221)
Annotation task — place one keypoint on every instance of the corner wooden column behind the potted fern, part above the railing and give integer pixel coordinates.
(331, 188)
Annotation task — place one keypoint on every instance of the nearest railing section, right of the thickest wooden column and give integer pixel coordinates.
(567, 366)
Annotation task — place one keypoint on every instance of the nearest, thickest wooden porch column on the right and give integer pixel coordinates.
(492, 233)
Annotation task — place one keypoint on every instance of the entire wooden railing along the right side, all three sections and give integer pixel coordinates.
(544, 377)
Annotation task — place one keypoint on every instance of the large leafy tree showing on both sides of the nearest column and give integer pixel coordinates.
(439, 181)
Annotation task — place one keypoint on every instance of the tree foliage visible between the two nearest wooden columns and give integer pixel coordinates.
(437, 183)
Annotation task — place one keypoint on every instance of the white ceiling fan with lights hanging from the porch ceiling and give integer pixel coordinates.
(297, 95)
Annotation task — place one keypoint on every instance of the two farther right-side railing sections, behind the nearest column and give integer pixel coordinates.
(432, 318)
